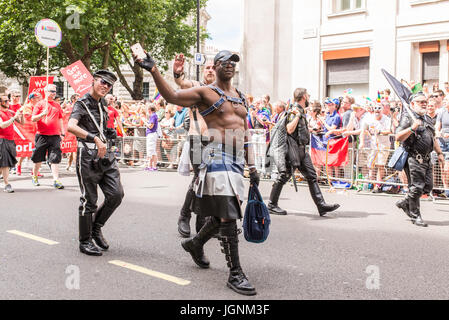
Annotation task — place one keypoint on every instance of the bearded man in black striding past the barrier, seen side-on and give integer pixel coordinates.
(298, 137)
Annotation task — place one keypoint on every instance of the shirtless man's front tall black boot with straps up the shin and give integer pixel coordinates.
(237, 280)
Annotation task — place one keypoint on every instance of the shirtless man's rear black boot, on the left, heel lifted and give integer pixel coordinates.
(194, 245)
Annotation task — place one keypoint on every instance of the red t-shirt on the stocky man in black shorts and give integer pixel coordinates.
(49, 125)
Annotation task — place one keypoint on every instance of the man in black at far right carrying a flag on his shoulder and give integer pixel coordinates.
(417, 133)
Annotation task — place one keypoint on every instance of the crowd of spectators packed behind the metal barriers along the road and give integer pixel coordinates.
(366, 125)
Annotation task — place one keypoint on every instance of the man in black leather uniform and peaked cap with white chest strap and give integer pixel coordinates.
(95, 163)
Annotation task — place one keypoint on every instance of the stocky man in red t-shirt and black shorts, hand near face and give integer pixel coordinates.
(49, 118)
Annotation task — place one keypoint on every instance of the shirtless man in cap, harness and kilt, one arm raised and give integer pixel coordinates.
(219, 188)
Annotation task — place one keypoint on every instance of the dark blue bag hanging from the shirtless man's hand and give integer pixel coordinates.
(256, 222)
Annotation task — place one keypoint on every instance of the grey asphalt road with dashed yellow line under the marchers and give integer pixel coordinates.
(367, 241)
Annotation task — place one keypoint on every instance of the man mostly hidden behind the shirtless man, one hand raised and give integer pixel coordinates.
(189, 205)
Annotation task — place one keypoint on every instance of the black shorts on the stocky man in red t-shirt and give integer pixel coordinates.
(44, 145)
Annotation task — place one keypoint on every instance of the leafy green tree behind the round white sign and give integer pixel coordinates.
(97, 32)
